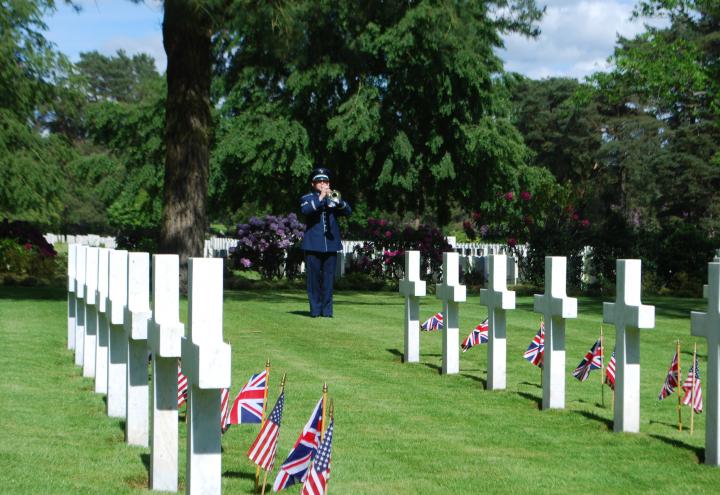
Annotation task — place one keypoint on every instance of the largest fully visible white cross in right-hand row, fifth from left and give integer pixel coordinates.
(628, 315)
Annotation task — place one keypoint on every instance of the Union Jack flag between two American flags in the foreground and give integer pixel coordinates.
(295, 468)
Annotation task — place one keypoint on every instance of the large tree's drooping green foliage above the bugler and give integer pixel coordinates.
(397, 95)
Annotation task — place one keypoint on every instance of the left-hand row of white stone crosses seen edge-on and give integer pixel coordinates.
(112, 328)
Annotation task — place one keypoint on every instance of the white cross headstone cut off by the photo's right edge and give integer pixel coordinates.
(707, 325)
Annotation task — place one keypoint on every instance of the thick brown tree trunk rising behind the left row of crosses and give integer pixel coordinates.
(186, 37)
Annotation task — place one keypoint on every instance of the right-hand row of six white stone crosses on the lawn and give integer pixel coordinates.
(627, 313)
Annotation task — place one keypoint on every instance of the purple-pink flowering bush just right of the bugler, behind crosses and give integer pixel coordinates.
(382, 255)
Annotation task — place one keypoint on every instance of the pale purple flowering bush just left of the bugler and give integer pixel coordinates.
(269, 245)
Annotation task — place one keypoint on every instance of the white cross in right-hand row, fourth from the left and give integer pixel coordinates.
(556, 307)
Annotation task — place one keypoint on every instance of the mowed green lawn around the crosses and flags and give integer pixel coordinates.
(400, 428)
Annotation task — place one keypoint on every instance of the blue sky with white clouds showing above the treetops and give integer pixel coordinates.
(577, 36)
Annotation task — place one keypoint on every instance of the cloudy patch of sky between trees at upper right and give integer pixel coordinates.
(576, 38)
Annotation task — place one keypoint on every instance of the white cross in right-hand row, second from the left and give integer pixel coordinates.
(450, 292)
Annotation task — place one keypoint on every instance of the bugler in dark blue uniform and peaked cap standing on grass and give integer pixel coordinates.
(321, 241)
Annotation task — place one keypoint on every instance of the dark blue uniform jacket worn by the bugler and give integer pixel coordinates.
(322, 232)
